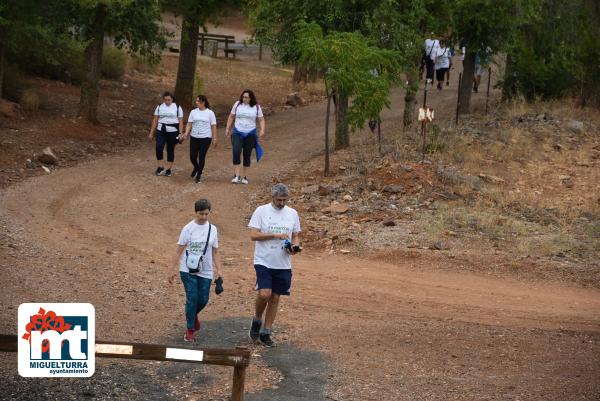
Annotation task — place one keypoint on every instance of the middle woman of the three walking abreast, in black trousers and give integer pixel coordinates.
(202, 126)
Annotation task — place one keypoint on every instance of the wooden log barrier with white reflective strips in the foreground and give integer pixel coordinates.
(238, 358)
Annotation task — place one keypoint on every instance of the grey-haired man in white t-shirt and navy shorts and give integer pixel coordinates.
(276, 229)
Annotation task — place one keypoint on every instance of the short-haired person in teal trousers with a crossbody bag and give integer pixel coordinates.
(198, 260)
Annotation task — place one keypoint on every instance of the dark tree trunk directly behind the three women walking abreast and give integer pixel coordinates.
(184, 86)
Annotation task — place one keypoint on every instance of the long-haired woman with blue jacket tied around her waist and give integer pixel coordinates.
(245, 115)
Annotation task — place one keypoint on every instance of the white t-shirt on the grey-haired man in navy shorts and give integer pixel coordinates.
(268, 219)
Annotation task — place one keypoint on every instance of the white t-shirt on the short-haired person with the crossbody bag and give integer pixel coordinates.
(193, 236)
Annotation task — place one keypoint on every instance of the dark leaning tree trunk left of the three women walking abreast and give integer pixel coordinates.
(90, 92)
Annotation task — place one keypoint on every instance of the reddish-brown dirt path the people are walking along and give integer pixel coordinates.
(104, 232)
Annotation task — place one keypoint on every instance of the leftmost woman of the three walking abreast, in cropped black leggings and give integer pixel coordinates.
(166, 126)
